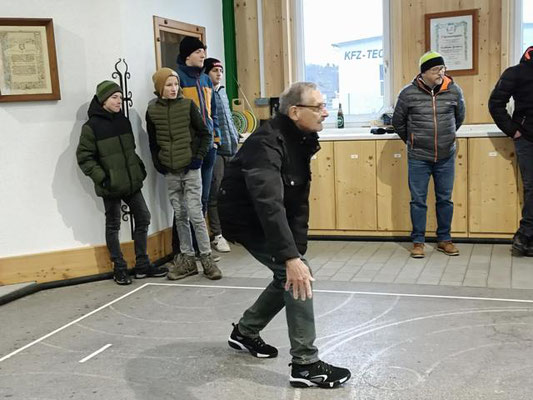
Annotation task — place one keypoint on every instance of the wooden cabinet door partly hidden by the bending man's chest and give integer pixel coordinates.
(322, 196)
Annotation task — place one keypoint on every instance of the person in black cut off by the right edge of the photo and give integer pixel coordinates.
(517, 82)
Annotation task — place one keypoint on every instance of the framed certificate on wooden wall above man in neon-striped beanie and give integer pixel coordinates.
(454, 35)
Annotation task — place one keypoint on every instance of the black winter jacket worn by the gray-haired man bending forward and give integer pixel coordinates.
(264, 196)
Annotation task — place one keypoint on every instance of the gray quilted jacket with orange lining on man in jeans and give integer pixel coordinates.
(427, 120)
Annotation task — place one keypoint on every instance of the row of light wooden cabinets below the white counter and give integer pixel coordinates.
(361, 188)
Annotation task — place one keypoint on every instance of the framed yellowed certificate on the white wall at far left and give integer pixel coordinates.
(28, 63)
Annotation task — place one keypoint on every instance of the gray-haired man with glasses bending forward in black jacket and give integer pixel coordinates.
(264, 205)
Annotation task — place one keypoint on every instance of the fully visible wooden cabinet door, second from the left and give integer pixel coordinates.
(355, 185)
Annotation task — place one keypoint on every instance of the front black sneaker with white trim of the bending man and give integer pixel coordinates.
(318, 374)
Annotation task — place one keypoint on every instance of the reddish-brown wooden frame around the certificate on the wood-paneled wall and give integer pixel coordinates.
(473, 34)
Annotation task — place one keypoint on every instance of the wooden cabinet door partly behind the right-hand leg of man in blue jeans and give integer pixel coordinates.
(459, 195)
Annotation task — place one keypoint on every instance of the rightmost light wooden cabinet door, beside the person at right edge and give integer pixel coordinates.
(492, 183)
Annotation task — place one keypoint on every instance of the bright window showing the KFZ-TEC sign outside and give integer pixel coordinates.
(345, 51)
